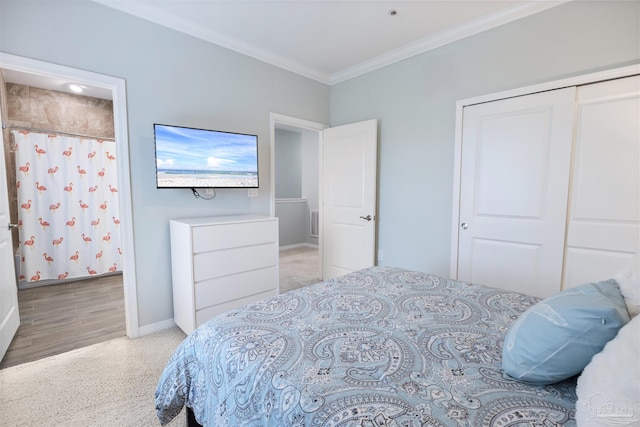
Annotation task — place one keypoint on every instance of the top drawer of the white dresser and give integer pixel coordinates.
(216, 237)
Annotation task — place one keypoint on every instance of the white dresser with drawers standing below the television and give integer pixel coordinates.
(221, 263)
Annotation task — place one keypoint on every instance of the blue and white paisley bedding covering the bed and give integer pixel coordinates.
(378, 347)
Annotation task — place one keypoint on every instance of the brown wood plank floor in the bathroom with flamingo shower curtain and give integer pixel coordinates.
(57, 318)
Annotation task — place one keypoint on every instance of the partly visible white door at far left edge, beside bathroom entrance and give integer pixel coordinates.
(9, 315)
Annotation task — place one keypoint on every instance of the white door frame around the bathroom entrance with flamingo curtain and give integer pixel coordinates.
(119, 97)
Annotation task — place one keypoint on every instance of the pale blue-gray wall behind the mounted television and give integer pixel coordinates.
(171, 78)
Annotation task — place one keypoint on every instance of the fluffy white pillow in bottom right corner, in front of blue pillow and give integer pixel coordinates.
(609, 387)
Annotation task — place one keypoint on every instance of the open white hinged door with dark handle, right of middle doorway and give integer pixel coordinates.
(349, 191)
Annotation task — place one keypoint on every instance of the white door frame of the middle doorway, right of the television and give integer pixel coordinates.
(281, 121)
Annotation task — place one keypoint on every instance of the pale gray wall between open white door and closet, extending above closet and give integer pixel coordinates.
(415, 101)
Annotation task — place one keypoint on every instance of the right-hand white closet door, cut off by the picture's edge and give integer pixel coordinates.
(604, 214)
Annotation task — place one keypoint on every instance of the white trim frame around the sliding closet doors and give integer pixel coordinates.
(527, 90)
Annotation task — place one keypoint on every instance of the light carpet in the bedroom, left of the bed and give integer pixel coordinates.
(103, 385)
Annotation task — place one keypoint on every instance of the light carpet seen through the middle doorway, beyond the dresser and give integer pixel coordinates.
(298, 267)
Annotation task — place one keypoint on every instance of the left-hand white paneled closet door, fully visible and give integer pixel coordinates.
(514, 186)
